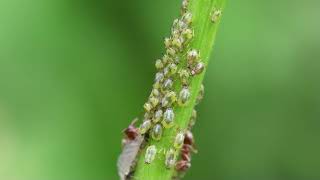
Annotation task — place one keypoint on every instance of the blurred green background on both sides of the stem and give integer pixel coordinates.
(73, 74)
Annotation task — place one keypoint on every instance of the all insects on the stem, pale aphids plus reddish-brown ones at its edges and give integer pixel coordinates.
(178, 64)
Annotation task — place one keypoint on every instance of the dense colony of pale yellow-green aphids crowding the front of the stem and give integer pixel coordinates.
(179, 64)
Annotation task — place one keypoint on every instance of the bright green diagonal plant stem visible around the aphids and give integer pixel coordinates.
(204, 36)
